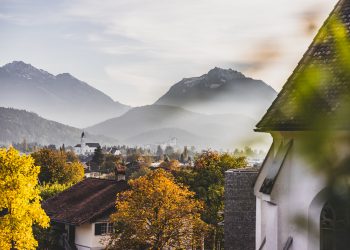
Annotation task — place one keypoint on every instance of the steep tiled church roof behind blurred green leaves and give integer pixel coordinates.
(295, 107)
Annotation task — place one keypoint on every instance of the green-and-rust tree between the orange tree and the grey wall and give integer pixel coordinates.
(207, 180)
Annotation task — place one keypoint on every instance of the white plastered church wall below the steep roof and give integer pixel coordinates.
(294, 191)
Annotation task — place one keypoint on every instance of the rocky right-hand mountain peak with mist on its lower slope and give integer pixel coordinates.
(221, 91)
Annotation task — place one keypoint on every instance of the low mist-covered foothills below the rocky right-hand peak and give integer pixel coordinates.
(158, 123)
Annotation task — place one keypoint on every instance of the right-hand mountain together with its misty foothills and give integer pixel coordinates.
(216, 110)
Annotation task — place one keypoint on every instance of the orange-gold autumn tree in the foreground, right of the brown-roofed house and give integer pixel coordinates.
(155, 214)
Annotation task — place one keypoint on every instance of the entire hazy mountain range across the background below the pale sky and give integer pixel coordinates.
(218, 109)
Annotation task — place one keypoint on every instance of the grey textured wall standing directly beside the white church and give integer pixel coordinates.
(240, 203)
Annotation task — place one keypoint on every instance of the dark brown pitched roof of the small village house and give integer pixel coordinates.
(85, 201)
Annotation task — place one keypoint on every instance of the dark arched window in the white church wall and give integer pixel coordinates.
(334, 223)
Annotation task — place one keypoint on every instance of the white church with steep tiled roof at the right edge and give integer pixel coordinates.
(294, 208)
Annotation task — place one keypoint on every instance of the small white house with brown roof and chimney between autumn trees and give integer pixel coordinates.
(82, 212)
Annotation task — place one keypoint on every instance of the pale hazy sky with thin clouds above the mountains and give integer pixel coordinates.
(134, 50)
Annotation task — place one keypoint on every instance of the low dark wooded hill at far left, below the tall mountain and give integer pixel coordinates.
(17, 125)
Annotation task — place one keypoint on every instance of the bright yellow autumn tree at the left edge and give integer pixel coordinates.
(19, 201)
